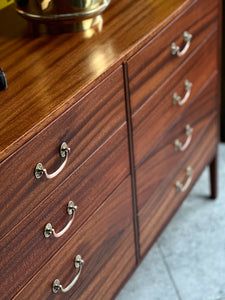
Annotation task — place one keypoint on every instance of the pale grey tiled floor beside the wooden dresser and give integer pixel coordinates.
(188, 260)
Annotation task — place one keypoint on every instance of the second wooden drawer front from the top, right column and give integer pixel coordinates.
(159, 113)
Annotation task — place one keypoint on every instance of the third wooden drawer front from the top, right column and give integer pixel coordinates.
(151, 174)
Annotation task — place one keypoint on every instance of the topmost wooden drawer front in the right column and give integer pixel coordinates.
(153, 65)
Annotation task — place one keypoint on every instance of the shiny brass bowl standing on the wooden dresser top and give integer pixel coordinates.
(59, 11)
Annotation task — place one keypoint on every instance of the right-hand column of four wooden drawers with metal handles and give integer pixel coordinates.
(173, 91)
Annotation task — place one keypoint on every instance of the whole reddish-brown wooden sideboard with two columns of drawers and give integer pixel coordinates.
(102, 135)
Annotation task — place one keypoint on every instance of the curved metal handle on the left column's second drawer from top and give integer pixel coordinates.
(71, 209)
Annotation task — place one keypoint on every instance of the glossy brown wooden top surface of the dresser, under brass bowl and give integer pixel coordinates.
(47, 74)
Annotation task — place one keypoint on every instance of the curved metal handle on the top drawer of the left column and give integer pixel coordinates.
(39, 169)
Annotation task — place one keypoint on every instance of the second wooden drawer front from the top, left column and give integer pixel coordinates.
(87, 187)
